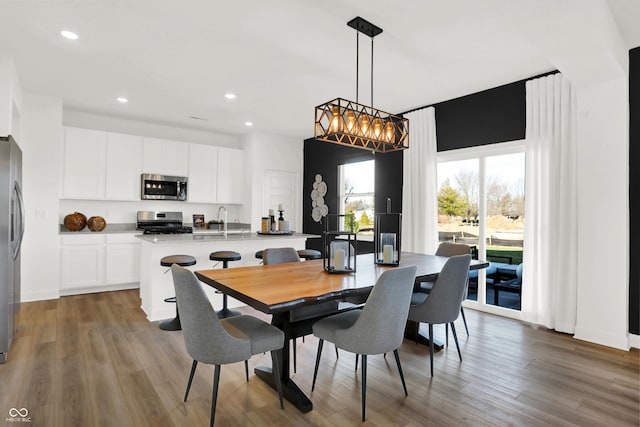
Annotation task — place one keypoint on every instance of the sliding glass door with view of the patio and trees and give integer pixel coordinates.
(481, 203)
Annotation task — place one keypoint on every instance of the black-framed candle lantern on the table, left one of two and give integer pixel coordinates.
(339, 244)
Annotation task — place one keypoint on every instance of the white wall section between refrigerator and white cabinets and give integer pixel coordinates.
(41, 159)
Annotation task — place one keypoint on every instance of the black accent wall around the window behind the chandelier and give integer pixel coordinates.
(324, 158)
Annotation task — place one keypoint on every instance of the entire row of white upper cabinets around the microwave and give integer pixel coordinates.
(102, 165)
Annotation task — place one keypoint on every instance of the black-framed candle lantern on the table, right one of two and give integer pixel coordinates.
(387, 238)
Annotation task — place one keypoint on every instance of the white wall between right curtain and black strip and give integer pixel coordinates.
(603, 213)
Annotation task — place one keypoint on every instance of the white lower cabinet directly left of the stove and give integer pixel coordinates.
(122, 259)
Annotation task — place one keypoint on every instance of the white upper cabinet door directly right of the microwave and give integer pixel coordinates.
(203, 173)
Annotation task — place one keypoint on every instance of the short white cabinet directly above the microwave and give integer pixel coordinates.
(165, 157)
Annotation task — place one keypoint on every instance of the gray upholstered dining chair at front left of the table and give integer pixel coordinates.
(217, 342)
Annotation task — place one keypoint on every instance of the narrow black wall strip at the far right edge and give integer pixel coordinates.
(634, 196)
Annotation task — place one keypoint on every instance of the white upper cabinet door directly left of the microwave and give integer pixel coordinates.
(123, 167)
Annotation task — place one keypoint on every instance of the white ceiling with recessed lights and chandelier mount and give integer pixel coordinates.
(175, 59)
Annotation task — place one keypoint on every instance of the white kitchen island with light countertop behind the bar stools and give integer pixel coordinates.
(156, 282)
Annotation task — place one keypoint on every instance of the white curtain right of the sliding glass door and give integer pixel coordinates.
(549, 284)
